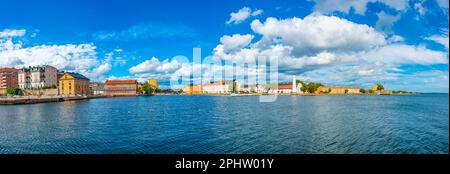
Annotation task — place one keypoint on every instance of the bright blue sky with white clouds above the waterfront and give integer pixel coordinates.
(402, 44)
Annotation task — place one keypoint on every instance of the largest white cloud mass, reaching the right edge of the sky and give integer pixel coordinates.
(331, 50)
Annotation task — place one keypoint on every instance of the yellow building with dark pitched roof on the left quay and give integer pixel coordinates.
(73, 84)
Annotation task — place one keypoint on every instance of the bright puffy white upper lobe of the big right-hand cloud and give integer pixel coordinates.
(316, 33)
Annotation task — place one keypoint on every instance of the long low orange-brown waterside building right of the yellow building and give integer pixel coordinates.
(121, 87)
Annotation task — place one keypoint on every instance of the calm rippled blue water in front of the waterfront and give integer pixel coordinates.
(207, 124)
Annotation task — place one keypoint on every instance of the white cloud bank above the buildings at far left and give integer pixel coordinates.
(80, 58)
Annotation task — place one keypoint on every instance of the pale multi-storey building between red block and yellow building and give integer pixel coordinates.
(38, 77)
